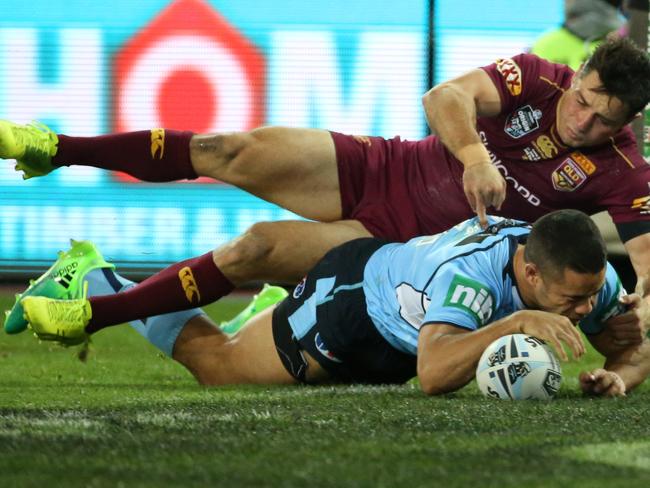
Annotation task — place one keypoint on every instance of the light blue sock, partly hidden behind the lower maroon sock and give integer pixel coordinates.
(161, 330)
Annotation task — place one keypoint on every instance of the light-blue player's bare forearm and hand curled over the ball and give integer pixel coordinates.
(448, 355)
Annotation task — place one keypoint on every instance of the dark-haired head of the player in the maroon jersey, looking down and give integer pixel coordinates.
(606, 93)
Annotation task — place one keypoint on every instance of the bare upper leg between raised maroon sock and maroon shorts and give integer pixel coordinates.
(293, 168)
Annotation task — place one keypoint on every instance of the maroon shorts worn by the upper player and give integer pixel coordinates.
(373, 177)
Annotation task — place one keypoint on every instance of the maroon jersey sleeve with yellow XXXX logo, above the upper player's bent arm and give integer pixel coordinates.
(523, 78)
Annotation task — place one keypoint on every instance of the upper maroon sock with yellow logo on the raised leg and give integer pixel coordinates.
(155, 155)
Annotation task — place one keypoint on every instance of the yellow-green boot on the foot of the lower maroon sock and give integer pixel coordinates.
(62, 321)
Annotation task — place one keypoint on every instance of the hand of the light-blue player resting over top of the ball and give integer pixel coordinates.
(553, 329)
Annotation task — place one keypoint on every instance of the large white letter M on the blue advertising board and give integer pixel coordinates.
(383, 97)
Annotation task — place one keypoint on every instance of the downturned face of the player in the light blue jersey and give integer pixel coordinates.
(573, 295)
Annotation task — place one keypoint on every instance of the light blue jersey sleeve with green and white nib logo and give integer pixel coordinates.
(461, 297)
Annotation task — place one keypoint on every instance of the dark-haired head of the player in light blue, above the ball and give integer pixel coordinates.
(565, 261)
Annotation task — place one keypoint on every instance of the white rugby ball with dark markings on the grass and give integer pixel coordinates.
(519, 367)
